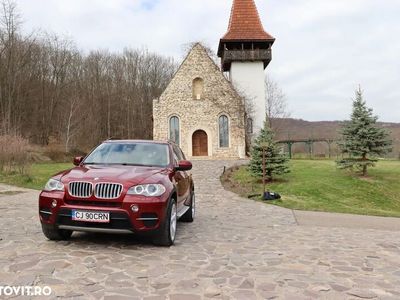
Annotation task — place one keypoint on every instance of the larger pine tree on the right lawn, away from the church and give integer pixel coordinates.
(362, 139)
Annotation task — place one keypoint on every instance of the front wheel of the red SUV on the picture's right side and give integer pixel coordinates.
(167, 234)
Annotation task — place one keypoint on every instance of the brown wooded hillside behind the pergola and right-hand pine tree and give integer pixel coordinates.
(297, 129)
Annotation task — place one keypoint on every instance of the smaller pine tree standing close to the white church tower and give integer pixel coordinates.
(276, 163)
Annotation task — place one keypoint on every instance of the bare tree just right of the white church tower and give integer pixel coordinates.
(276, 104)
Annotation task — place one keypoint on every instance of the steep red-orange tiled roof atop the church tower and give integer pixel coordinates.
(245, 23)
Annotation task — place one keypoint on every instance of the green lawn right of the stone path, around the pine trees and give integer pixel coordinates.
(318, 186)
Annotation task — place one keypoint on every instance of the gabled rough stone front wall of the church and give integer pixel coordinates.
(219, 97)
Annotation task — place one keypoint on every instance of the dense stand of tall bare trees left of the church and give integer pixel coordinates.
(52, 93)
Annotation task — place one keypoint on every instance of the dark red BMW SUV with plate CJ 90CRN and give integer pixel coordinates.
(126, 186)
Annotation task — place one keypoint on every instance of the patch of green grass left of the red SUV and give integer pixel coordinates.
(37, 176)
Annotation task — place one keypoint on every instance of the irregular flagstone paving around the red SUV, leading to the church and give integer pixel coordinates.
(235, 249)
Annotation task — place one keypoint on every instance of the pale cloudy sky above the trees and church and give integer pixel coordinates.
(324, 49)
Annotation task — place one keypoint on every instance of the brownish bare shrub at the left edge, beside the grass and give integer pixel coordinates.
(14, 154)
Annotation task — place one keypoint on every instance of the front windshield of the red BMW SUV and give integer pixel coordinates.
(141, 154)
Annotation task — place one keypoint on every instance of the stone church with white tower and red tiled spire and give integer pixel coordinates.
(201, 109)
